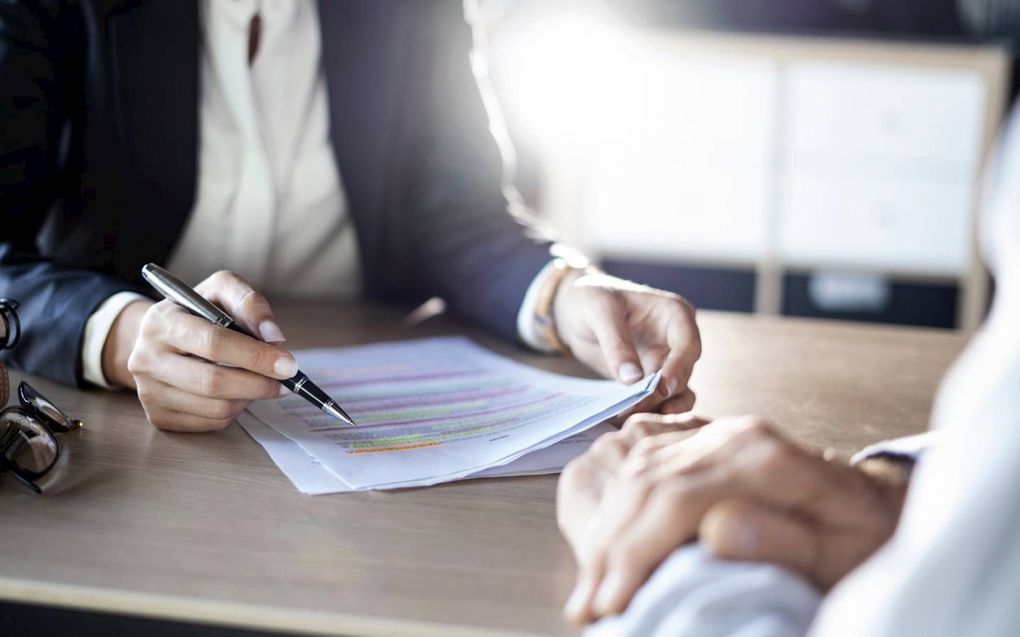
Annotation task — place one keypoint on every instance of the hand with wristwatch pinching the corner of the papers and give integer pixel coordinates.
(627, 332)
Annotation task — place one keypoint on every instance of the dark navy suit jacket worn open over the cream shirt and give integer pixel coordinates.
(99, 141)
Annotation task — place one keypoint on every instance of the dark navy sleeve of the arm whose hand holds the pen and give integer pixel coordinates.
(36, 68)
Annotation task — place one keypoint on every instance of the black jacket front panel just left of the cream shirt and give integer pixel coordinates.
(155, 55)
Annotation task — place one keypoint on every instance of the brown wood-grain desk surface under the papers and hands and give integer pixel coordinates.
(203, 527)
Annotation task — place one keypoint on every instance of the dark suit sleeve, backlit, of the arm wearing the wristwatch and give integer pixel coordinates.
(470, 242)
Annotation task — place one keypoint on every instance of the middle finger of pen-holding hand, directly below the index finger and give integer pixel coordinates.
(203, 379)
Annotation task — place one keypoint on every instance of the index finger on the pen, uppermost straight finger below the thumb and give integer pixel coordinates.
(191, 335)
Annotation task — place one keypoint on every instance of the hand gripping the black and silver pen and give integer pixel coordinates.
(190, 375)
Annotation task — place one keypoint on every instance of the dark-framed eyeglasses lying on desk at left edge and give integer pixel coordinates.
(29, 447)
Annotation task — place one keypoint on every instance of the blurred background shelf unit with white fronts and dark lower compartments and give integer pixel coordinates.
(780, 174)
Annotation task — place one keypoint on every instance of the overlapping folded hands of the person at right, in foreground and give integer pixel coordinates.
(747, 492)
